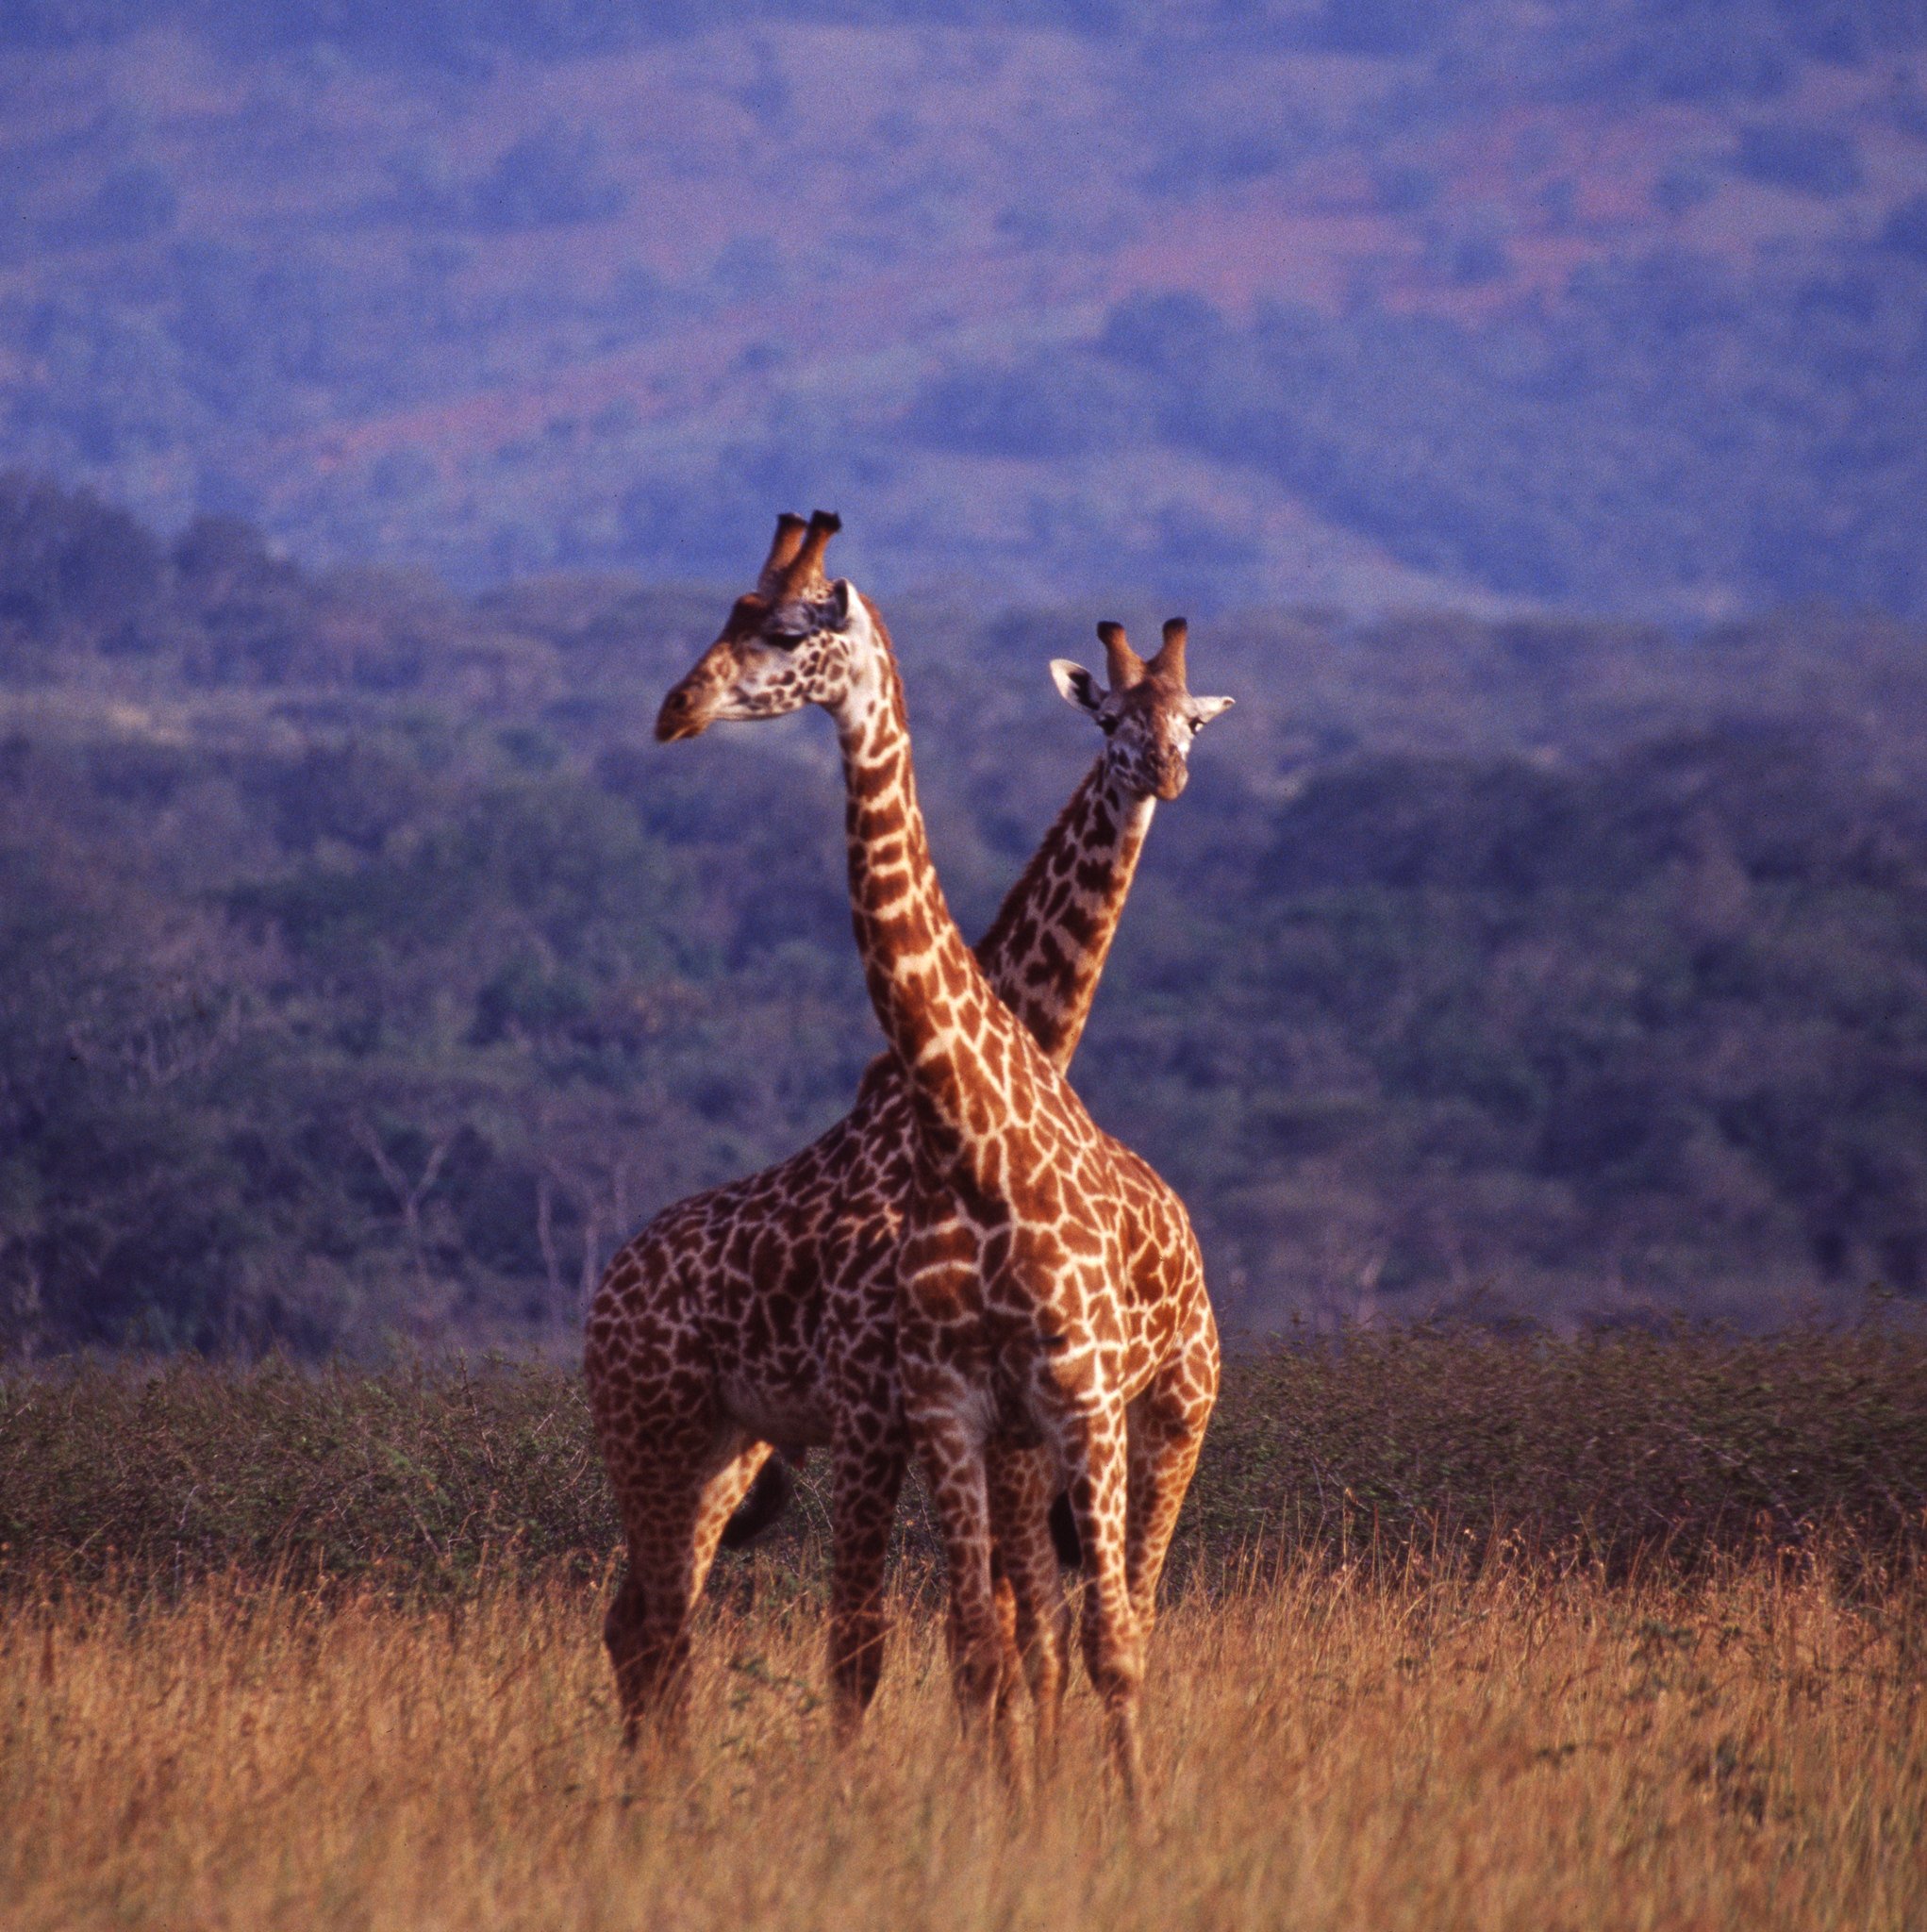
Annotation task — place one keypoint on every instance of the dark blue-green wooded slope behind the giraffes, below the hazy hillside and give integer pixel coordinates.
(366, 971)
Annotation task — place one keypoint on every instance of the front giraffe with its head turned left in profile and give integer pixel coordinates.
(1049, 1286)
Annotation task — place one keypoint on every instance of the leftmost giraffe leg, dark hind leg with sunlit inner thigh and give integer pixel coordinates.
(675, 1520)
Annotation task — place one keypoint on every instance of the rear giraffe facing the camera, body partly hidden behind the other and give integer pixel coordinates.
(768, 1309)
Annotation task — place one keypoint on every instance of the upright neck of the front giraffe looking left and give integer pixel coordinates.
(932, 998)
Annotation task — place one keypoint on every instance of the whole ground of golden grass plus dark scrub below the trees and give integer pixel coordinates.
(1463, 1632)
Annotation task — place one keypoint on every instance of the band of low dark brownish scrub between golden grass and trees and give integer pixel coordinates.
(1611, 1456)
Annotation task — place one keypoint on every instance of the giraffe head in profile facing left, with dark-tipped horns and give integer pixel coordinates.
(795, 640)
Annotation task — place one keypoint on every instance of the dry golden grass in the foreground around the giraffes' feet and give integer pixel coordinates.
(1465, 1753)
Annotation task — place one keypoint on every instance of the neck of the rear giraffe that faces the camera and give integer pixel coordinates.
(1047, 948)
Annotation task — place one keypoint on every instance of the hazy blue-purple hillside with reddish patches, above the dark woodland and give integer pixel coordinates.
(1358, 302)
